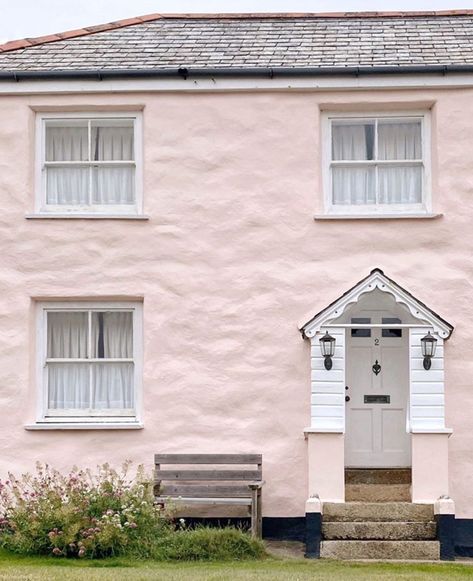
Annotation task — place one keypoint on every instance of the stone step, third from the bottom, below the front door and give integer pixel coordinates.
(377, 512)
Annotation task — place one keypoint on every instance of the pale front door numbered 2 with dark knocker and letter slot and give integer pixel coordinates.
(377, 380)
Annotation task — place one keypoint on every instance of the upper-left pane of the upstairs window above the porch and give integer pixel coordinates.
(352, 141)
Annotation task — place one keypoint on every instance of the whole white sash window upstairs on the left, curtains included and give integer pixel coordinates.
(89, 164)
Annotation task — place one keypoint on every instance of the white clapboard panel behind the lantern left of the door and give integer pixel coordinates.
(328, 386)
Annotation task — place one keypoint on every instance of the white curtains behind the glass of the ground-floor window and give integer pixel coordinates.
(98, 386)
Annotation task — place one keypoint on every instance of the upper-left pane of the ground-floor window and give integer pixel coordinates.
(67, 335)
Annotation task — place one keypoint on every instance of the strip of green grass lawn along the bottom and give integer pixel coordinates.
(271, 569)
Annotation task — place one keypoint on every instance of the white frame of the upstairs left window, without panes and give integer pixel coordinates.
(41, 205)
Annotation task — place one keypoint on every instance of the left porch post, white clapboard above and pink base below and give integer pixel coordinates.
(326, 454)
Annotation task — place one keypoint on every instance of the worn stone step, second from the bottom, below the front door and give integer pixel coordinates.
(382, 531)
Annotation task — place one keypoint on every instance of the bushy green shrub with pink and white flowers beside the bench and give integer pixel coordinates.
(82, 514)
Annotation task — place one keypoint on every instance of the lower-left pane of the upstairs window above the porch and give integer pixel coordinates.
(353, 185)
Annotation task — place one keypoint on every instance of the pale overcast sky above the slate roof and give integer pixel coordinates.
(23, 18)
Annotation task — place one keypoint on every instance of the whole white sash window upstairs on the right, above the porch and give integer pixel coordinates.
(377, 165)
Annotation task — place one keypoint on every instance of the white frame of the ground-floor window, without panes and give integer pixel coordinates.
(44, 415)
